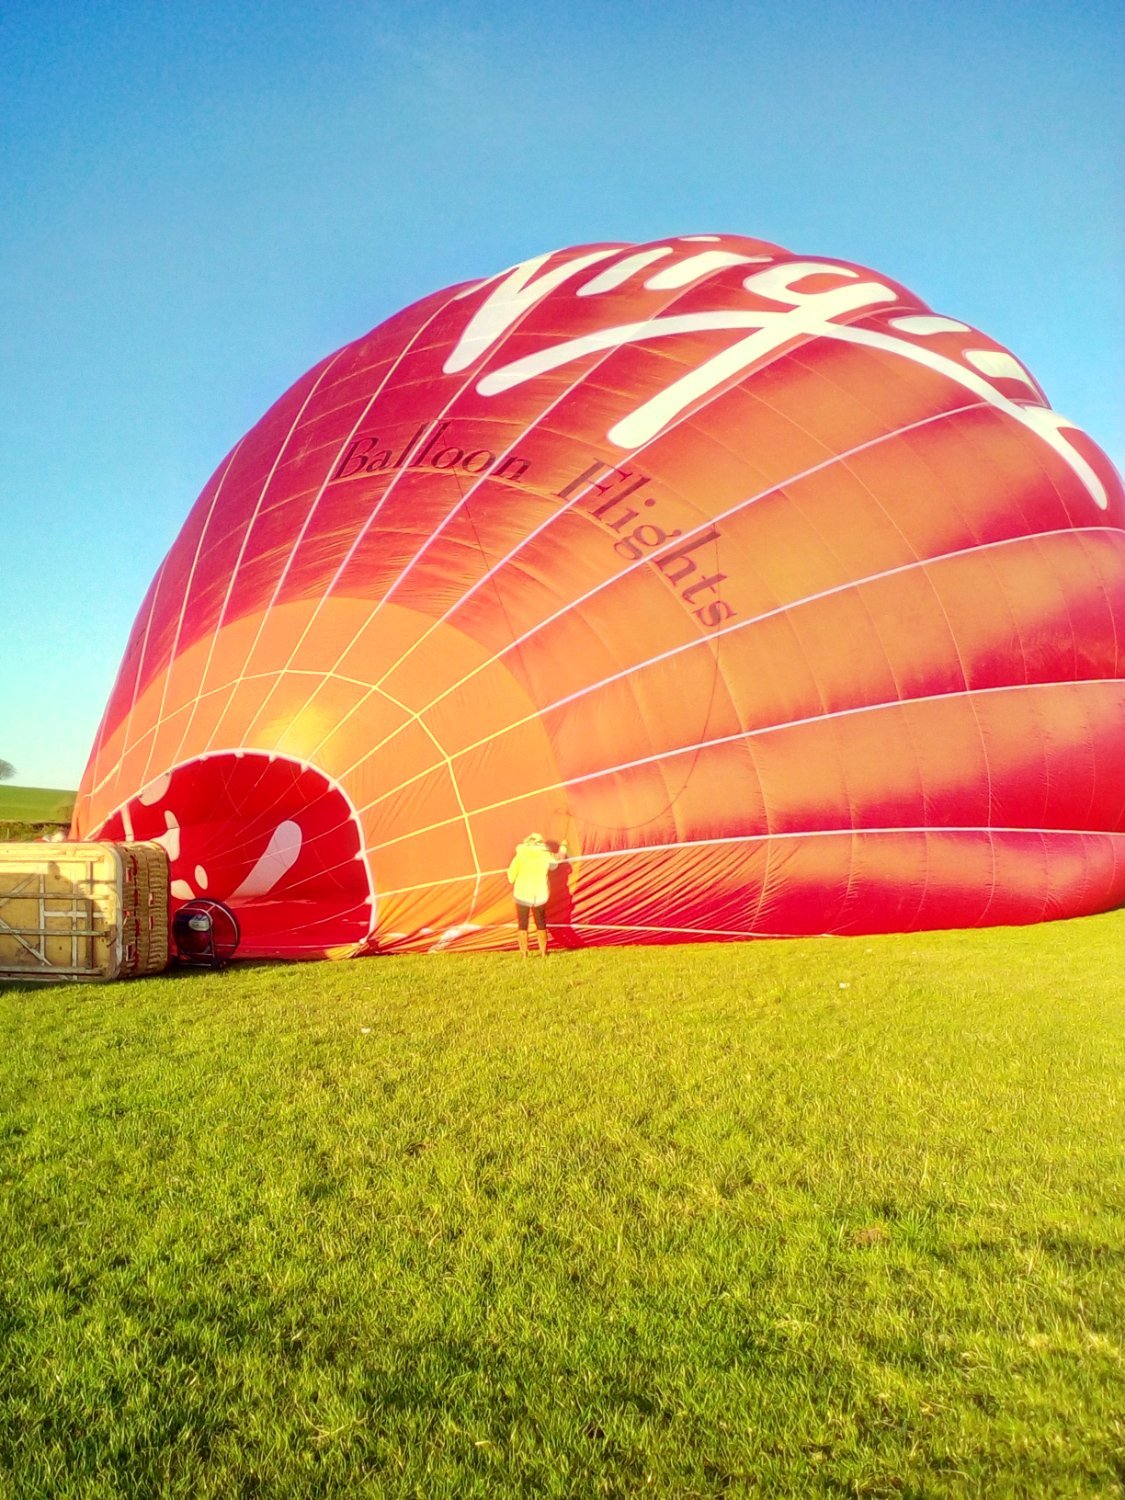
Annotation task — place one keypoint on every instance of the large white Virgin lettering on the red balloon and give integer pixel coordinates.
(796, 313)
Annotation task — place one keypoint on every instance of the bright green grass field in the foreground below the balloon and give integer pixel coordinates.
(829, 1217)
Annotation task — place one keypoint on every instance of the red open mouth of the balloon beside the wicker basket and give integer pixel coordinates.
(272, 838)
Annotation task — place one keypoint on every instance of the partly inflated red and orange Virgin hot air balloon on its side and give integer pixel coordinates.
(788, 604)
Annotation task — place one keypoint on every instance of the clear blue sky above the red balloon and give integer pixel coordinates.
(203, 200)
